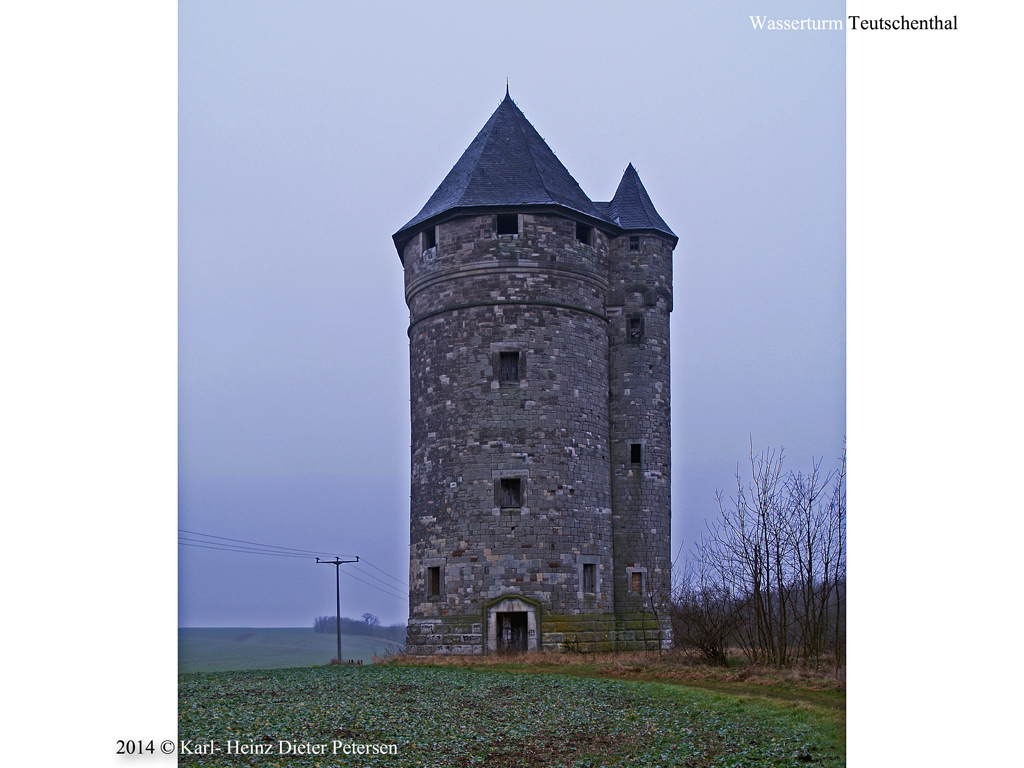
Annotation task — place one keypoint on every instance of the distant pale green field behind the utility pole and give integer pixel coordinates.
(224, 650)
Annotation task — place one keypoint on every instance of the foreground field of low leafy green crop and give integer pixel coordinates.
(455, 717)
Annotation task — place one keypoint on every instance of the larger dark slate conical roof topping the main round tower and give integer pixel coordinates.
(508, 164)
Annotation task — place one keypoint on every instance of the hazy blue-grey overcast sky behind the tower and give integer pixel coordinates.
(310, 134)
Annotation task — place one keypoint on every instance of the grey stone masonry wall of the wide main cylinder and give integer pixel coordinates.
(540, 294)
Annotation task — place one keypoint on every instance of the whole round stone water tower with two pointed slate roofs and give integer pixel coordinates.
(539, 347)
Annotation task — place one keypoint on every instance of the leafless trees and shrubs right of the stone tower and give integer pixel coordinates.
(771, 574)
